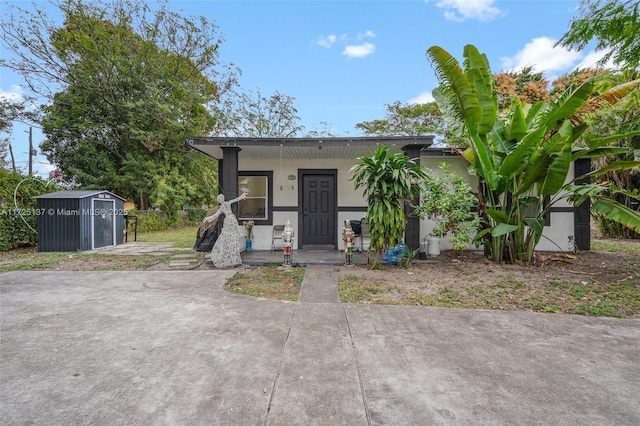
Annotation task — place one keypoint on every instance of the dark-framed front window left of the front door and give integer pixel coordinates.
(258, 204)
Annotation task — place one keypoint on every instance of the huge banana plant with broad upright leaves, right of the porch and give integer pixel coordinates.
(523, 159)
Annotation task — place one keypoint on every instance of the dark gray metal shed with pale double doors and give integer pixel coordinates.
(79, 220)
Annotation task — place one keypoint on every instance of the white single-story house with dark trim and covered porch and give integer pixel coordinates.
(306, 181)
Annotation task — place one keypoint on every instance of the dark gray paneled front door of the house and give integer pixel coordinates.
(319, 208)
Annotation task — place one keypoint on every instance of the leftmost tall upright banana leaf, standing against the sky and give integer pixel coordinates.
(454, 84)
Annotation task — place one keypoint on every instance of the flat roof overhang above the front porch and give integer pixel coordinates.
(304, 148)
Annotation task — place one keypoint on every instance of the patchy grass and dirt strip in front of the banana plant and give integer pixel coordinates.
(592, 282)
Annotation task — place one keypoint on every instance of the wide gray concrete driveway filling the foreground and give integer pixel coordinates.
(173, 348)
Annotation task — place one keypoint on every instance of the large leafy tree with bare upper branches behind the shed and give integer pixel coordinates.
(126, 86)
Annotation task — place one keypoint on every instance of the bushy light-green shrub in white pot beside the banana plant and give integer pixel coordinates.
(447, 199)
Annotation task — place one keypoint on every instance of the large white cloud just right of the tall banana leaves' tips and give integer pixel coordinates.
(542, 55)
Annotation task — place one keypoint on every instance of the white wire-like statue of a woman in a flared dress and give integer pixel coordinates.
(226, 250)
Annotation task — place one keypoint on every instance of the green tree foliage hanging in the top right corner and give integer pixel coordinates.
(613, 24)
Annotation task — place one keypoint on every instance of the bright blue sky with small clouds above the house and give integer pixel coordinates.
(343, 61)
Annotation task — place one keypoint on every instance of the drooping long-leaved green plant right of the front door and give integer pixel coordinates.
(390, 180)
